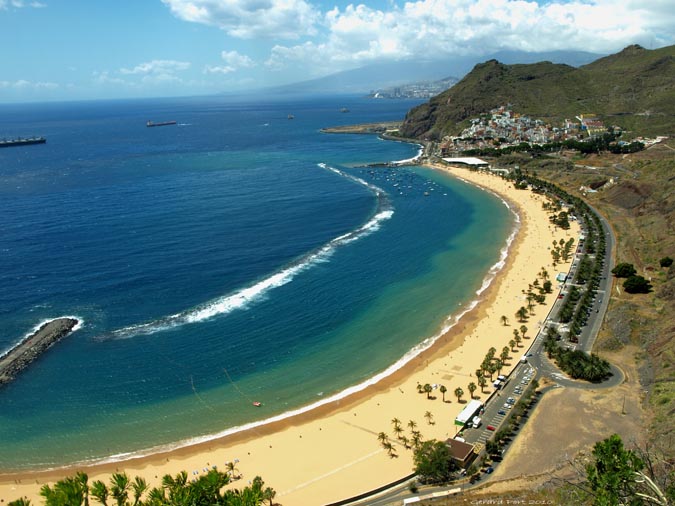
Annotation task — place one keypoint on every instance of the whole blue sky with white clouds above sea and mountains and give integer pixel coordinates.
(105, 49)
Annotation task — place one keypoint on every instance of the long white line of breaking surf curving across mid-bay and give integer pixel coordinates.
(257, 291)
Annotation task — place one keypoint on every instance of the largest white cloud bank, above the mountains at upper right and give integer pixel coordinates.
(360, 34)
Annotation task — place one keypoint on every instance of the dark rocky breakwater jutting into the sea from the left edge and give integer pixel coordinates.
(19, 357)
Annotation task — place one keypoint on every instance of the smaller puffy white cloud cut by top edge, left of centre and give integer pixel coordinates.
(246, 19)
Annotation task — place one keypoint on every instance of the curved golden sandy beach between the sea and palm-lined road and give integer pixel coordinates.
(333, 453)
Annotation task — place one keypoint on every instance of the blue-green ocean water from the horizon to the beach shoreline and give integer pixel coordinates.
(238, 256)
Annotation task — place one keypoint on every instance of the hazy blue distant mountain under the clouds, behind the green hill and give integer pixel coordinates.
(387, 75)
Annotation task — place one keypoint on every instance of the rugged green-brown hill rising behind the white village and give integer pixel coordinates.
(634, 89)
